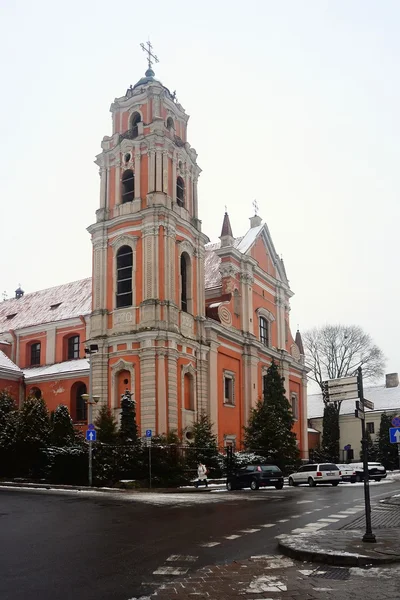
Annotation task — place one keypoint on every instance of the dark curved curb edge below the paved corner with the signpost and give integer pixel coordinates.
(335, 559)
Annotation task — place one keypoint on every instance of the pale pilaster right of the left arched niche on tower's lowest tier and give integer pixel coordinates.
(147, 389)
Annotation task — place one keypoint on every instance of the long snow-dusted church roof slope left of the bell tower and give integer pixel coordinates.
(45, 306)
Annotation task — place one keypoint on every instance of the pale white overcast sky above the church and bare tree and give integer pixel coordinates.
(294, 103)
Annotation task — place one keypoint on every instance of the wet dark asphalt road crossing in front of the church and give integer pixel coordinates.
(113, 547)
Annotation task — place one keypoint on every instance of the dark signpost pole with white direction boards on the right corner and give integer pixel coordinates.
(347, 388)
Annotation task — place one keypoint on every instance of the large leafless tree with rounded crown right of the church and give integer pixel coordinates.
(335, 351)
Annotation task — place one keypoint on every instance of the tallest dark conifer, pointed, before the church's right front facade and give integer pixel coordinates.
(269, 432)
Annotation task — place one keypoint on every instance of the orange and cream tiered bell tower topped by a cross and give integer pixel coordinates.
(148, 308)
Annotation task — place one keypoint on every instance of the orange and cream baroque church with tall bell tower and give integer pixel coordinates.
(184, 324)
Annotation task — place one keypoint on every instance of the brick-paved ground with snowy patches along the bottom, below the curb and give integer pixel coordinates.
(281, 578)
